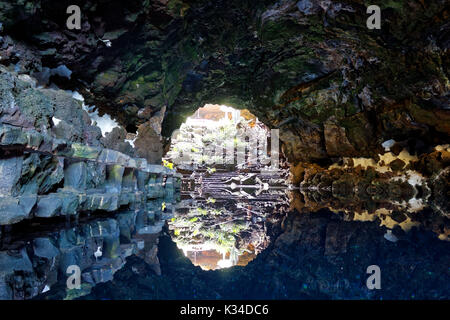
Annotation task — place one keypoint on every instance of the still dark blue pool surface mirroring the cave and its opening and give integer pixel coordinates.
(34, 257)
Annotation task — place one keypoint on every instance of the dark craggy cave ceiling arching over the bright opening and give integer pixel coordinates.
(311, 68)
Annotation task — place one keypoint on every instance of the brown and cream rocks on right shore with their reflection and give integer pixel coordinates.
(397, 201)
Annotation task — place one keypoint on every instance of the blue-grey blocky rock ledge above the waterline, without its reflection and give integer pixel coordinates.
(58, 168)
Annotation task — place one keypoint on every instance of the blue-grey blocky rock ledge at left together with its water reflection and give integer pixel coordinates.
(53, 164)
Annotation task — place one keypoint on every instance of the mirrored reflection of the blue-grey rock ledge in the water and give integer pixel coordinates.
(34, 257)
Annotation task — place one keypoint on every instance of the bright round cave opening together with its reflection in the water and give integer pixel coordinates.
(230, 188)
